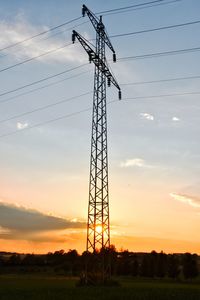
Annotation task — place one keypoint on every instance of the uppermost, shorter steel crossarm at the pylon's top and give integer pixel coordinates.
(97, 24)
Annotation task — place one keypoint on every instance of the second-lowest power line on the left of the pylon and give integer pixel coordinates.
(44, 107)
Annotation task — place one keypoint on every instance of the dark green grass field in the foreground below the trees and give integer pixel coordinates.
(60, 288)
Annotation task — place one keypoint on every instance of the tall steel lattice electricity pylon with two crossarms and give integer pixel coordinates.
(98, 225)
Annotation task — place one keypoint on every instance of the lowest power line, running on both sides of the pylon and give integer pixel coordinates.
(90, 108)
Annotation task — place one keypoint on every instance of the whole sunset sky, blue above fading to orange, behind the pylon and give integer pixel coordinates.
(153, 132)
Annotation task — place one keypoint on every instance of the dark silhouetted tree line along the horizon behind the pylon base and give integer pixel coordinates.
(123, 263)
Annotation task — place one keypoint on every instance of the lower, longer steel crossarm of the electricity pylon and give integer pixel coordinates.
(95, 58)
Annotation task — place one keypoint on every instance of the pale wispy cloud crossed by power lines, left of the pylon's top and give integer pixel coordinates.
(20, 30)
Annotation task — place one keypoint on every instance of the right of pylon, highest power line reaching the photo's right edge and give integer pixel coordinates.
(155, 29)
